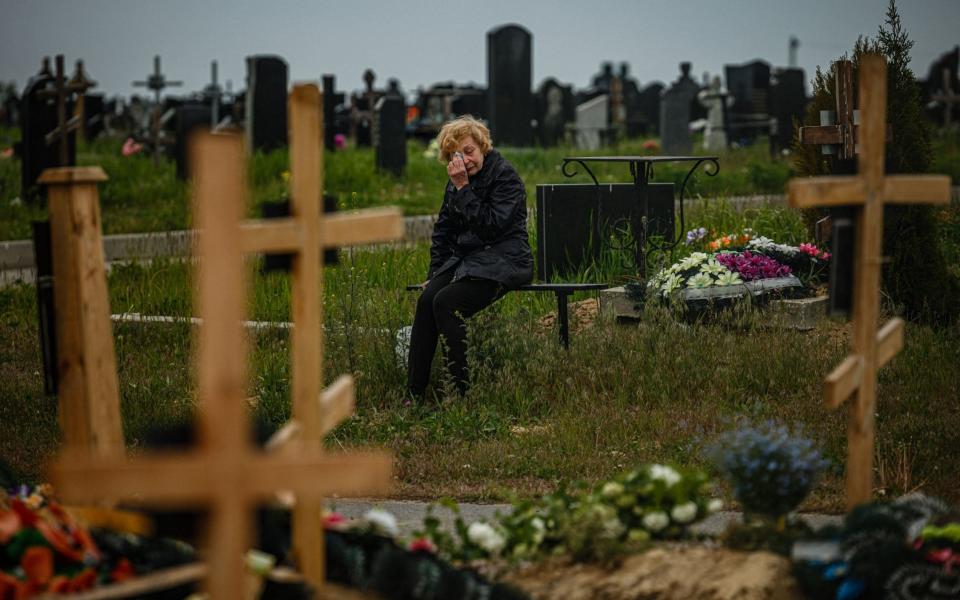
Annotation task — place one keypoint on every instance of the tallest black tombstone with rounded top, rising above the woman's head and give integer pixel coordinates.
(509, 80)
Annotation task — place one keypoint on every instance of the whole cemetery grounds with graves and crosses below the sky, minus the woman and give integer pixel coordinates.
(734, 374)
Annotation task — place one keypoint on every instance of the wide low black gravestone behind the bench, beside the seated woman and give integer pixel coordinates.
(576, 223)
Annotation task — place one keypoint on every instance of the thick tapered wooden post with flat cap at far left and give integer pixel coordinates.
(88, 395)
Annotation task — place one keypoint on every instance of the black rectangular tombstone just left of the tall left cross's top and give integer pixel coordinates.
(266, 103)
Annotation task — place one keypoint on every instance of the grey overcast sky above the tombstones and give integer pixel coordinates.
(421, 42)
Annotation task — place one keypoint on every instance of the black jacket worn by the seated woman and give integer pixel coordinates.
(482, 228)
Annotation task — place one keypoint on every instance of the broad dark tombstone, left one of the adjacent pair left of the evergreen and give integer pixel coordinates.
(749, 115)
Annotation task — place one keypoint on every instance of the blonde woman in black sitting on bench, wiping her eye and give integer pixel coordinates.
(479, 249)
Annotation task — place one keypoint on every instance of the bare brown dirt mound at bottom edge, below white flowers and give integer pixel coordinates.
(678, 572)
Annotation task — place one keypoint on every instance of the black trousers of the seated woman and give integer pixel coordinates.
(441, 310)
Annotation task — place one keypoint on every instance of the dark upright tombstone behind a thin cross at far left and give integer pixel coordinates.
(38, 117)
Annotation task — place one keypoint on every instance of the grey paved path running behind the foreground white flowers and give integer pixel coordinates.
(410, 514)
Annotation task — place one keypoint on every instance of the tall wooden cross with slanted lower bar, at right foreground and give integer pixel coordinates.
(868, 191)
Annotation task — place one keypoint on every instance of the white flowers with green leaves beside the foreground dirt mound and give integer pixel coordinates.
(585, 522)
